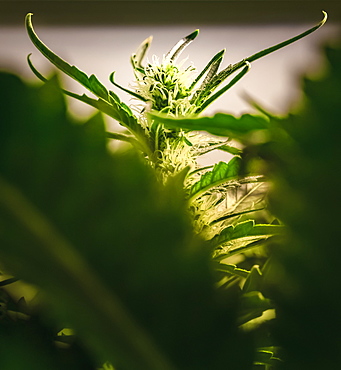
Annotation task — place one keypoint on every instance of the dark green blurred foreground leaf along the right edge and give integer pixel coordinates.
(303, 158)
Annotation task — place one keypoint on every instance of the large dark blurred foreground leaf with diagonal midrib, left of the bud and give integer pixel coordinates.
(112, 251)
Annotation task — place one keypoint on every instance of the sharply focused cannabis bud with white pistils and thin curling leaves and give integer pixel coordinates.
(168, 89)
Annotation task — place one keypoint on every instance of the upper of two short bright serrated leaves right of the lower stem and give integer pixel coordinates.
(220, 174)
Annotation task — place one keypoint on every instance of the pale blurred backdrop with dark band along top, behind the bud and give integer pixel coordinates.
(99, 37)
